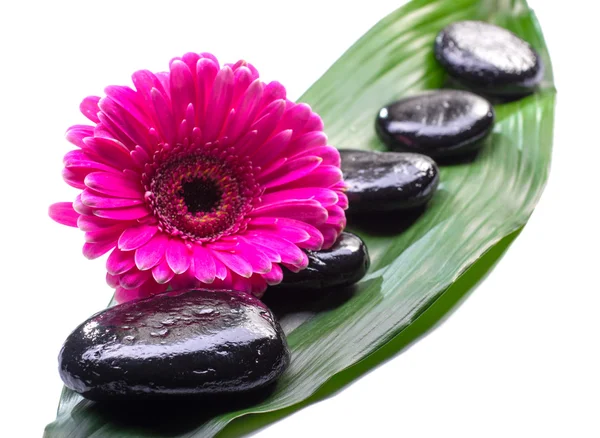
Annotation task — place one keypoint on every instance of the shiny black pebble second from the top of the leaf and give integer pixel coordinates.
(436, 123)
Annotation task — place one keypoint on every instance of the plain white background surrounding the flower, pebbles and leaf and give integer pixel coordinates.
(519, 359)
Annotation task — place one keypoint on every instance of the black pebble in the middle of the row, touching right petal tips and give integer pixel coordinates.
(388, 181)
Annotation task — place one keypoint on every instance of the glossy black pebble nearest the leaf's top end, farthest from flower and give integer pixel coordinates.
(488, 59)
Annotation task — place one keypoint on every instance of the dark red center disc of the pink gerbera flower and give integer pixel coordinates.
(202, 197)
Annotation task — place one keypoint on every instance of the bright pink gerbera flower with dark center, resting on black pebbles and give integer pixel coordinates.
(201, 176)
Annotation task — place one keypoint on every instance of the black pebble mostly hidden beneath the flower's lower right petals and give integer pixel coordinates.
(346, 262)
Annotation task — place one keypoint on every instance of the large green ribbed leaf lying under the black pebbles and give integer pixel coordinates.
(421, 267)
